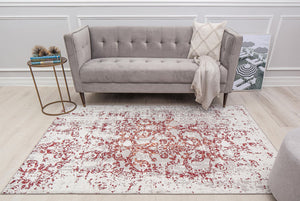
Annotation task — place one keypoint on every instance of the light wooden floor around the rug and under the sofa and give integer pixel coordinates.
(276, 111)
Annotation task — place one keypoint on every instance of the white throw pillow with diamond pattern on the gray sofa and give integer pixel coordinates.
(206, 39)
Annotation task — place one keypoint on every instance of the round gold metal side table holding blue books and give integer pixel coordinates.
(64, 110)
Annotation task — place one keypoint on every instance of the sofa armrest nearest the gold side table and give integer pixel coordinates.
(78, 46)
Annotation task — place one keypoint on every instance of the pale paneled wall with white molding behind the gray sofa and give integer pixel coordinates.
(24, 24)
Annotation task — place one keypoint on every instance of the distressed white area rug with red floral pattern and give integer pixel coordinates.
(150, 149)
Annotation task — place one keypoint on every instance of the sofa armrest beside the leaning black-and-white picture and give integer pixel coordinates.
(230, 53)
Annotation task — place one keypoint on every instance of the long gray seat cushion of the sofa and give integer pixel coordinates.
(141, 70)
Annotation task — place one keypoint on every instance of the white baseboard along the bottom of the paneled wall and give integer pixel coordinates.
(50, 81)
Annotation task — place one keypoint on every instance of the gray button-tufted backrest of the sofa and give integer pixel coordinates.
(159, 42)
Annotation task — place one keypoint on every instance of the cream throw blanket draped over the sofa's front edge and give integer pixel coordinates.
(206, 81)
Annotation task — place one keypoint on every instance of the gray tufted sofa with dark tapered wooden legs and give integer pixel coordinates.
(142, 60)
